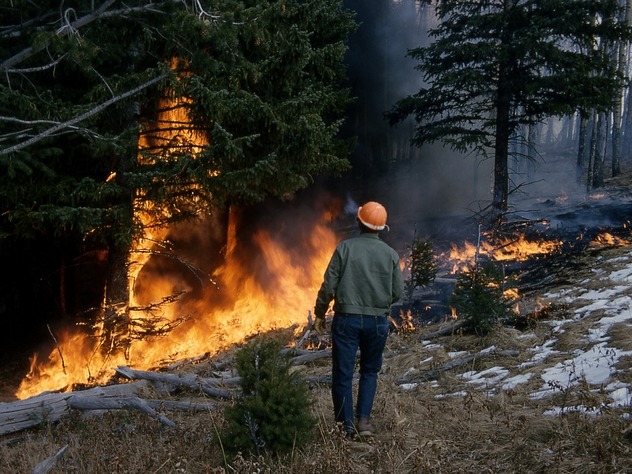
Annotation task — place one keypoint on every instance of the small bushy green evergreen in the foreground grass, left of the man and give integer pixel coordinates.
(274, 414)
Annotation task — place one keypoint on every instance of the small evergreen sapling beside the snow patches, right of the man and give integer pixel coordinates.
(479, 297)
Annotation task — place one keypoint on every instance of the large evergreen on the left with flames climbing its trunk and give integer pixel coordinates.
(249, 91)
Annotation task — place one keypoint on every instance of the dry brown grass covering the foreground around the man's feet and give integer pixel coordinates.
(423, 430)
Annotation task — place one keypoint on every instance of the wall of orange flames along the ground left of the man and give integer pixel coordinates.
(268, 274)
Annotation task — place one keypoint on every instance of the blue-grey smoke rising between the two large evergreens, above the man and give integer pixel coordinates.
(414, 183)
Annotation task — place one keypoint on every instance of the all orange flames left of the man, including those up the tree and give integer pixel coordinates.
(267, 281)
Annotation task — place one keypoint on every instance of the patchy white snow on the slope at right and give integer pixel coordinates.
(603, 300)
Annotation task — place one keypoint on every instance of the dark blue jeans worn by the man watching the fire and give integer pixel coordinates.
(350, 332)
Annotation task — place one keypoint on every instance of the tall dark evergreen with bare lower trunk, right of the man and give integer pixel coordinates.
(497, 65)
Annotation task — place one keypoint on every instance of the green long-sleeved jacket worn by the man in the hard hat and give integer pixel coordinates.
(363, 277)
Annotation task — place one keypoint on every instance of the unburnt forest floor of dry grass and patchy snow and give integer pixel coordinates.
(552, 395)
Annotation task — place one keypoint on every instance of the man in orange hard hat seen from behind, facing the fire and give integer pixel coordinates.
(364, 279)
